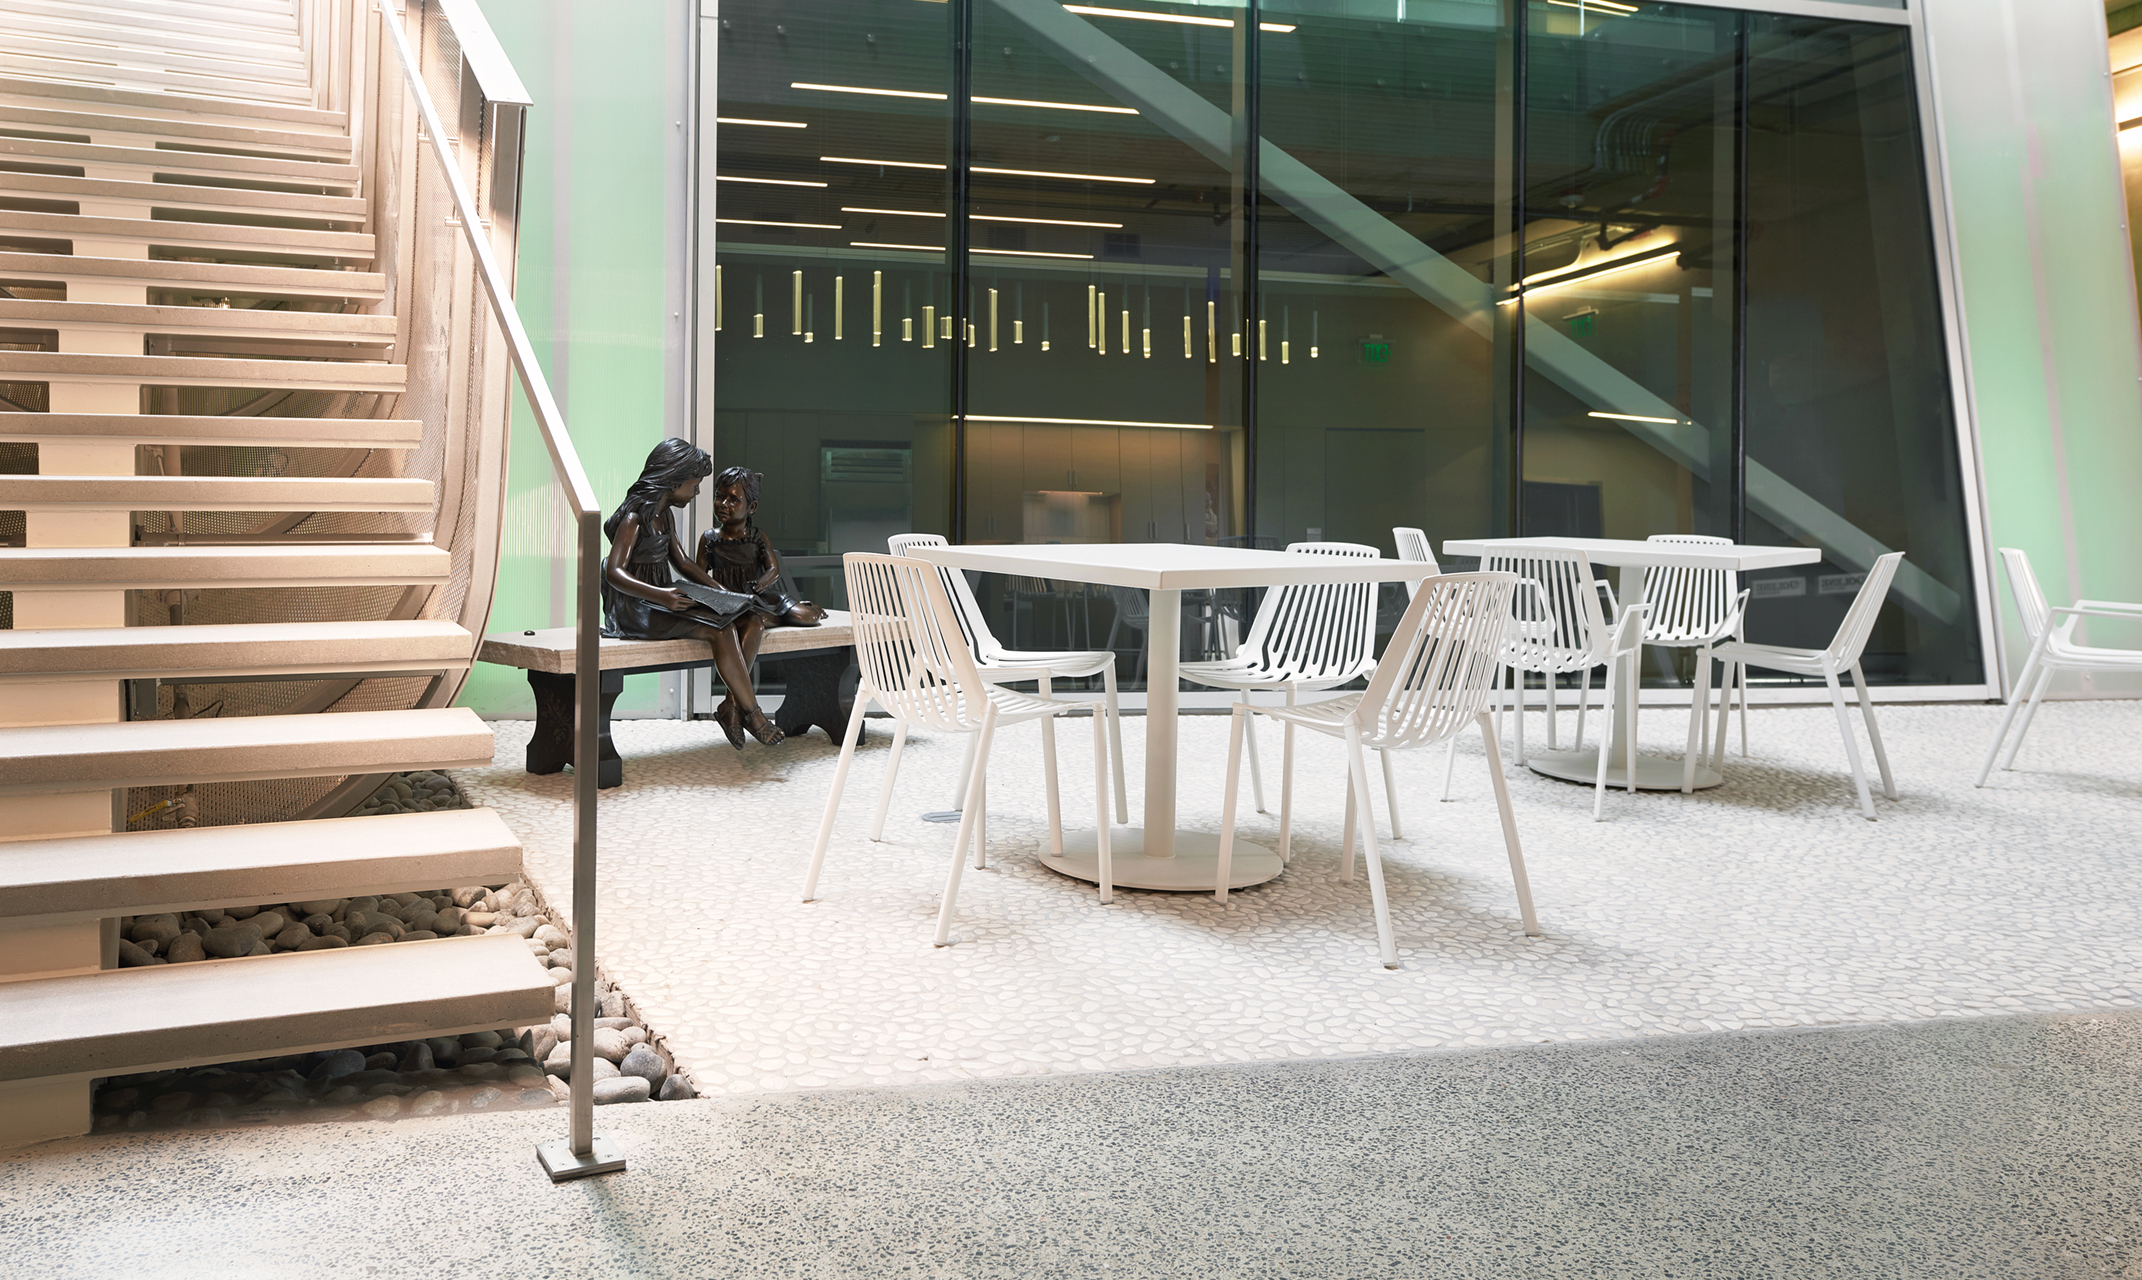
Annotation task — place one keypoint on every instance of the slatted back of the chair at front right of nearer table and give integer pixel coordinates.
(1440, 662)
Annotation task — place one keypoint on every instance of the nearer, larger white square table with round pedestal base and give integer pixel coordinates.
(1160, 855)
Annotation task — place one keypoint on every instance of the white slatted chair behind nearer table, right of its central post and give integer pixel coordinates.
(1306, 639)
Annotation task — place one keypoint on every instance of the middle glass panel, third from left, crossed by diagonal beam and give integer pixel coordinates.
(1383, 249)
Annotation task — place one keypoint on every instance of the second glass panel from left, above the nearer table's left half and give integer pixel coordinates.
(1104, 391)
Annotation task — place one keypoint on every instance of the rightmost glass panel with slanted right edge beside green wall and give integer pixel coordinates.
(1852, 431)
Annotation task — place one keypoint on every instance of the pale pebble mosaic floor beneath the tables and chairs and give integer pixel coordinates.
(1760, 904)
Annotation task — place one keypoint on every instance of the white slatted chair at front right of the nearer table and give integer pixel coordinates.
(1432, 686)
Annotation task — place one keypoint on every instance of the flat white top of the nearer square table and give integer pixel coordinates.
(1168, 566)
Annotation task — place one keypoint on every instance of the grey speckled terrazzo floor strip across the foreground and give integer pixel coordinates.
(1940, 1151)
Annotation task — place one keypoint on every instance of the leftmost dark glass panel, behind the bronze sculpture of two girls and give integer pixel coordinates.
(830, 374)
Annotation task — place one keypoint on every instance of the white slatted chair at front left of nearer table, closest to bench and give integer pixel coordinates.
(918, 669)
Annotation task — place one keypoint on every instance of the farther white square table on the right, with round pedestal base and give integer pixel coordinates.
(1633, 560)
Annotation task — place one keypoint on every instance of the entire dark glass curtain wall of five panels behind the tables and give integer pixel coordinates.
(1494, 266)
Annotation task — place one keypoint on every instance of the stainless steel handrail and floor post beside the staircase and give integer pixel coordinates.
(575, 1157)
